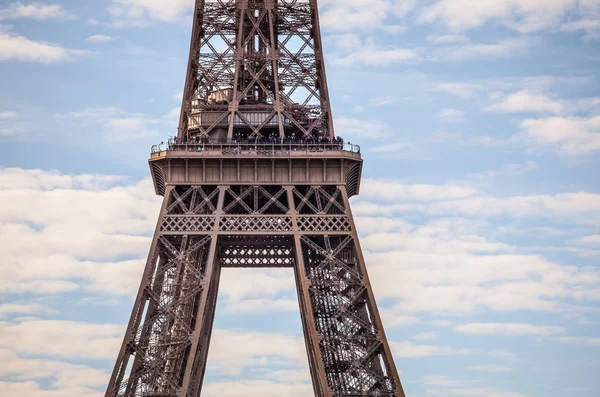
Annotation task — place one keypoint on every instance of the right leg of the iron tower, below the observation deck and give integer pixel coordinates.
(347, 348)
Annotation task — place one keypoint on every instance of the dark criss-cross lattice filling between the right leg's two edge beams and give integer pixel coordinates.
(354, 358)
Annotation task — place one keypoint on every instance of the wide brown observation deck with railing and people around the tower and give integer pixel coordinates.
(246, 163)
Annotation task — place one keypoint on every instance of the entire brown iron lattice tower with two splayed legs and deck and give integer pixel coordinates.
(255, 178)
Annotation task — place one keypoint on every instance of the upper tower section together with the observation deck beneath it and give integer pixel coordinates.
(255, 105)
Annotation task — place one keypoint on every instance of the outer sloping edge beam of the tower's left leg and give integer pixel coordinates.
(141, 299)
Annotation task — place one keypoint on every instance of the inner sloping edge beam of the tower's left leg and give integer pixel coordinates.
(200, 339)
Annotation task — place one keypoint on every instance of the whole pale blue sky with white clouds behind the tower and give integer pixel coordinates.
(479, 121)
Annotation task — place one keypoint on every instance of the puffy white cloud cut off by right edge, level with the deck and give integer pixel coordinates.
(571, 136)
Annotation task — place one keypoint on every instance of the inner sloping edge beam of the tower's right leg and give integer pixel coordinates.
(311, 337)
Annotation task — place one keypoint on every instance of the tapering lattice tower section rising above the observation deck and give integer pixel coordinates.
(257, 66)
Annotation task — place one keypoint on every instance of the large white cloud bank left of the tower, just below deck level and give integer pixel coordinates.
(45, 221)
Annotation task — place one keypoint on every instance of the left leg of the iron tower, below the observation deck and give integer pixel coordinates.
(165, 354)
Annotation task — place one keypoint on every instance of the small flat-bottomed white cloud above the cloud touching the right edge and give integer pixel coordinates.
(526, 101)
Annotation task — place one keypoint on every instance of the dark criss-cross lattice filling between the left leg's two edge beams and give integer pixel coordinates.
(165, 318)
